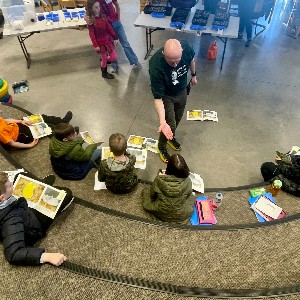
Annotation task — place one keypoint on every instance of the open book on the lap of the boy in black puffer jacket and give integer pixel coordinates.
(40, 196)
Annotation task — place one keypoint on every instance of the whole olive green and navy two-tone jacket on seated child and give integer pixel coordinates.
(69, 159)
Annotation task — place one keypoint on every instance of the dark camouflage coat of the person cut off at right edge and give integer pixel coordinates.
(289, 174)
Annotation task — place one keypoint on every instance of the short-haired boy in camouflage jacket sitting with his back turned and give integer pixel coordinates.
(118, 172)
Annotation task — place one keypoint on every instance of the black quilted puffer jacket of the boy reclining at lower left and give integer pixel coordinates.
(19, 230)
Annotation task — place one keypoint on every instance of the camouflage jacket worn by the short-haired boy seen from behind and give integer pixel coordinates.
(119, 181)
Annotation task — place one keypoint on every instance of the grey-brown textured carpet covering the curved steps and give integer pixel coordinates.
(235, 254)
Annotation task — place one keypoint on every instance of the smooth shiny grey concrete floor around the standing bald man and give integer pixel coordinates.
(256, 95)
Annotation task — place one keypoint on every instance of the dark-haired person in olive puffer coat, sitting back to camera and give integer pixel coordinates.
(171, 198)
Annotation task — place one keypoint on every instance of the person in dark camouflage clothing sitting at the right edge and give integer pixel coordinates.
(286, 169)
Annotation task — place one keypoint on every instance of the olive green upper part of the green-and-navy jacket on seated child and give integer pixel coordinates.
(72, 149)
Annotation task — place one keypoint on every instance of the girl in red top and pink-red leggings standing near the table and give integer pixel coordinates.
(102, 36)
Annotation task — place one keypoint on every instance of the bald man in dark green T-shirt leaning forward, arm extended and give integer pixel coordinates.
(168, 69)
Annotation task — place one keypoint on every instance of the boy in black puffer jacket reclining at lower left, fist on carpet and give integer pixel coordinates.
(21, 227)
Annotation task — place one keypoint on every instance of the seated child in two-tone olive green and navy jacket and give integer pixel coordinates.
(68, 158)
